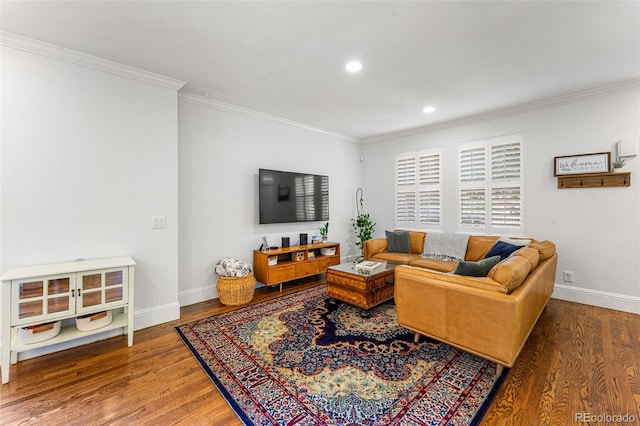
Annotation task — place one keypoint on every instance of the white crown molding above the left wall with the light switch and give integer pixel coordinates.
(42, 48)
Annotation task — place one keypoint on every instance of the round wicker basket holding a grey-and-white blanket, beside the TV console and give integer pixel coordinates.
(236, 283)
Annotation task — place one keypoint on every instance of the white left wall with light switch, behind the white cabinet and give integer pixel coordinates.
(87, 158)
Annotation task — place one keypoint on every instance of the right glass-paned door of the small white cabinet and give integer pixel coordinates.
(102, 289)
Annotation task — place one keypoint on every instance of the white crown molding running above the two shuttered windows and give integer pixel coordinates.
(610, 89)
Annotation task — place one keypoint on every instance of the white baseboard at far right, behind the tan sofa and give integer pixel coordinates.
(603, 299)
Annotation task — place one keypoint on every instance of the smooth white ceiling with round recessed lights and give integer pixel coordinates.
(287, 58)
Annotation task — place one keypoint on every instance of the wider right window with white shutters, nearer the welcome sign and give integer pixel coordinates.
(490, 186)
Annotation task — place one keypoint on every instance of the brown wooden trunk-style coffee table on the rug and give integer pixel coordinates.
(347, 284)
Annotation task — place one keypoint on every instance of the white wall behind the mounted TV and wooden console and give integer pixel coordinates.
(221, 150)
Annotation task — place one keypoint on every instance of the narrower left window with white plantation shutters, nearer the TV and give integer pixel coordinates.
(418, 189)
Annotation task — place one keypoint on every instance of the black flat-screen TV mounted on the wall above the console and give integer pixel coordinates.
(292, 197)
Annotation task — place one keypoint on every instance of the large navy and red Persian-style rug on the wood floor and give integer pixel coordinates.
(304, 359)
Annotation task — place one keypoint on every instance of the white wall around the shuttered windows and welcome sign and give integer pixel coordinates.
(596, 230)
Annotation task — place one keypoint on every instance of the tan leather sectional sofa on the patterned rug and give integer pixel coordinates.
(490, 316)
